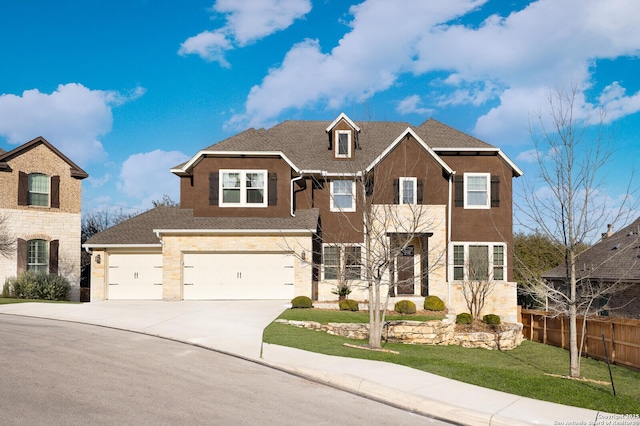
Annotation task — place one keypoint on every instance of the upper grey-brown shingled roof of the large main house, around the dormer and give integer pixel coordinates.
(306, 143)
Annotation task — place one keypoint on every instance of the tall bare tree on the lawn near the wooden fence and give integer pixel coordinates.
(567, 205)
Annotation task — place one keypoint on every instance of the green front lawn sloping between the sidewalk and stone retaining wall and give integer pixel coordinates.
(523, 371)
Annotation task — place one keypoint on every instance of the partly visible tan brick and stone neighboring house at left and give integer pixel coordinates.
(40, 200)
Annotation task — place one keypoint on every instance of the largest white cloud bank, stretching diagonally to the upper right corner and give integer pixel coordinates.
(512, 61)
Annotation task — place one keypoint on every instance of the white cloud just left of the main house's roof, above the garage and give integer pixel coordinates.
(146, 177)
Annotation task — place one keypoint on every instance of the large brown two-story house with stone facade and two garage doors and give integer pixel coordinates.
(275, 213)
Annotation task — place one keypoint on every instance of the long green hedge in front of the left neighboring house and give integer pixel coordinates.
(37, 285)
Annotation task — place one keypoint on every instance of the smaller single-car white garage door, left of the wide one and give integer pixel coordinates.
(135, 276)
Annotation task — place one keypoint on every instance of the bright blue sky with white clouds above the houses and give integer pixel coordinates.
(129, 88)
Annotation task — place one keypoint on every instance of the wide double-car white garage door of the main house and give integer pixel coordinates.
(238, 276)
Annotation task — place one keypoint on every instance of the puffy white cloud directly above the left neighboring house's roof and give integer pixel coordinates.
(72, 118)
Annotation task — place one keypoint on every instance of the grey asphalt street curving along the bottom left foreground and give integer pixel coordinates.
(63, 373)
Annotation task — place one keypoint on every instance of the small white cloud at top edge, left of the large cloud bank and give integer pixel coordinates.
(247, 22)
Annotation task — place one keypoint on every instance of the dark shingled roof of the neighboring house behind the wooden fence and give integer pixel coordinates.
(614, 258)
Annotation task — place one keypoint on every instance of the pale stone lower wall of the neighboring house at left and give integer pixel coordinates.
(48, 225)
